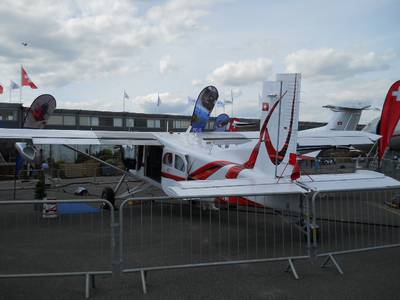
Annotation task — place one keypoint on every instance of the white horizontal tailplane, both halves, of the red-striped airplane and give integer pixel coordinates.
(360, 180)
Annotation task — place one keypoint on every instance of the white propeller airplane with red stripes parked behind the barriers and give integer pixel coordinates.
(260, 171)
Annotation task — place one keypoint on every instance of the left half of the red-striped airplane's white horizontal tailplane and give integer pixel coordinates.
(237, 187)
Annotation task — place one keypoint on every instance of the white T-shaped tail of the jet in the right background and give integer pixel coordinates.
(345, 117)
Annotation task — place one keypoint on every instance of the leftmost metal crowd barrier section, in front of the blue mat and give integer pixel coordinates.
(77, 242)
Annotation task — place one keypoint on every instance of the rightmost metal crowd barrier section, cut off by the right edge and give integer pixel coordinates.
(354, 221)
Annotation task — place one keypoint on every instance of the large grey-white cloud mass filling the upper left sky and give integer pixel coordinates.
(72, 41)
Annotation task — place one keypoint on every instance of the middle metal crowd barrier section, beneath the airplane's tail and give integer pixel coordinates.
(164, 233)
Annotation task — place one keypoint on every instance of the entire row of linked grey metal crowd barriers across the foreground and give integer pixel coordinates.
(160, 233)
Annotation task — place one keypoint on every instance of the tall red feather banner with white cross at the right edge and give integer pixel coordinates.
(389, 118)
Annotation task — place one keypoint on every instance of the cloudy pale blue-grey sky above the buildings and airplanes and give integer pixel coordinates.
(86, 53)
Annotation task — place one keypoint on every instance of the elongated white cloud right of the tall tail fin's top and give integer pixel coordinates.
(328, 63)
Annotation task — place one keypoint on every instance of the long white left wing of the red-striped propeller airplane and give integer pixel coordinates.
(80, 137)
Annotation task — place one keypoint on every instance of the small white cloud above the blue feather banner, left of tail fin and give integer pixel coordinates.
(242, 72)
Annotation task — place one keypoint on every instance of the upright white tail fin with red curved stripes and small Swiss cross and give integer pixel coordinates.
(279, 121)
